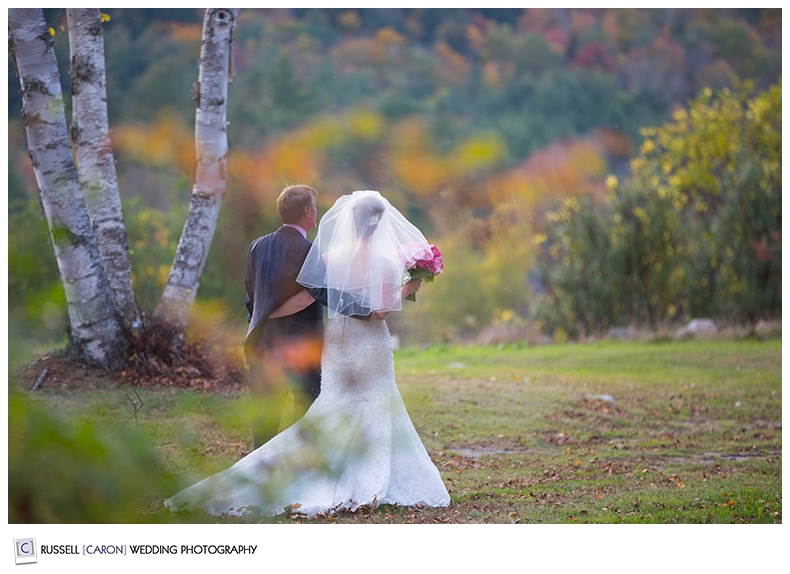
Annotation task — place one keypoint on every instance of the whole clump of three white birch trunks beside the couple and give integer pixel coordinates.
(81, 200)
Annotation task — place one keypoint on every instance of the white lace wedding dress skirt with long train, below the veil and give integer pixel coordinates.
(355, 446)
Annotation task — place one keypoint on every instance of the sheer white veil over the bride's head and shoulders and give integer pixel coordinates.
(361, 254)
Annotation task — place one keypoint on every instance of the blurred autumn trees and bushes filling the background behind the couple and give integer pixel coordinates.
(495, 131)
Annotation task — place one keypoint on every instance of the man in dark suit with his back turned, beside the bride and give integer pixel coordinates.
(283, 343)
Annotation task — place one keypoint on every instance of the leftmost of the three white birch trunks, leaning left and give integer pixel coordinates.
(96, 334)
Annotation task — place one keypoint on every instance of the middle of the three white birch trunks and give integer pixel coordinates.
(90, 135)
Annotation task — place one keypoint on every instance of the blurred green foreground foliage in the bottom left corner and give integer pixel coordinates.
(67, 470)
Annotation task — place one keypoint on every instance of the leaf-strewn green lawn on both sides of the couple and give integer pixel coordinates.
(526, 434)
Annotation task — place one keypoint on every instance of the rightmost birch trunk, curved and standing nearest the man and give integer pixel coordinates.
(211, 144)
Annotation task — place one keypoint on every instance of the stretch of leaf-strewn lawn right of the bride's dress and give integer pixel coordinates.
(604, 433)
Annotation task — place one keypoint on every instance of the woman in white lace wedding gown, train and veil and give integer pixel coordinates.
(356, 445)
